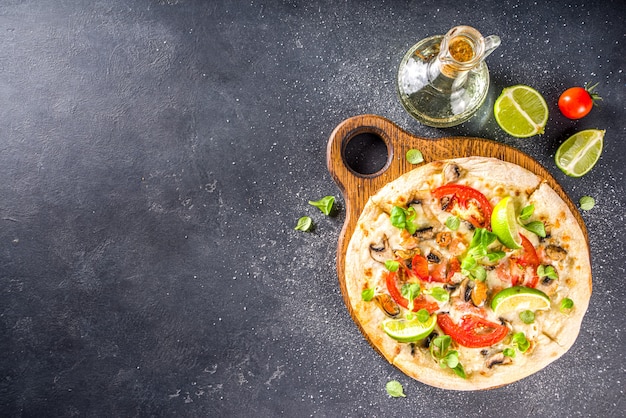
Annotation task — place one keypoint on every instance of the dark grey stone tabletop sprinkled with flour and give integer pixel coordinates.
(155, 156)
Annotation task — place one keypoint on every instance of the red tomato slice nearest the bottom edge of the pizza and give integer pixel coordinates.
(473, 331)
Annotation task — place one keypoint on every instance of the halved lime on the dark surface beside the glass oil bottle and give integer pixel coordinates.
(521, 111)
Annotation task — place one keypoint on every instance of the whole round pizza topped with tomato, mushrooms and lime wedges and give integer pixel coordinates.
(468, 273)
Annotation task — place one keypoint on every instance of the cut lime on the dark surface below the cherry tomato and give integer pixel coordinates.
(580, 152)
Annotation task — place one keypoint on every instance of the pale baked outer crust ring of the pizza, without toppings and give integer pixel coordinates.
(555, 332)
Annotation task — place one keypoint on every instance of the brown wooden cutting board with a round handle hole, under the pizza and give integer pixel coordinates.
(357, 187)
